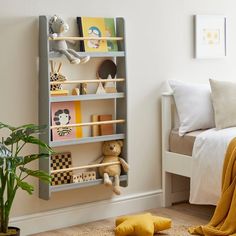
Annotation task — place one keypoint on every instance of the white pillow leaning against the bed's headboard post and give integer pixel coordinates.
(194, 106)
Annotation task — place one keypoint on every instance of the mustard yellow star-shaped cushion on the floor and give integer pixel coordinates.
(140, 225)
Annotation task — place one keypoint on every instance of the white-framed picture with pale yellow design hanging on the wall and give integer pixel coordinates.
(210, 36)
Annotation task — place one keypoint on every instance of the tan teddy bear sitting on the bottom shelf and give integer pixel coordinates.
(111, 151)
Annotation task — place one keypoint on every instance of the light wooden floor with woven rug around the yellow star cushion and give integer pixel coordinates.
(182, 215)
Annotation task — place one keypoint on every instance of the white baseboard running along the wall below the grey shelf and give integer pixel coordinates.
(55, 219)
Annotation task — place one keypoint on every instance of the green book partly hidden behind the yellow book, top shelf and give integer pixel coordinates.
(110, 32)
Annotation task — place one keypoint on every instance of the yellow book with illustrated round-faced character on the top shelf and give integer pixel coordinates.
(92, 27)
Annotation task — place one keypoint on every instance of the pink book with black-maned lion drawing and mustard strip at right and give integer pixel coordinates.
(64, 113)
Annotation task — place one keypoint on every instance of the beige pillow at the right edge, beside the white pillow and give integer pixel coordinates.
(224, 103)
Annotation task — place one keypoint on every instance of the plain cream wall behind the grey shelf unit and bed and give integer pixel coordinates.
(160, 46)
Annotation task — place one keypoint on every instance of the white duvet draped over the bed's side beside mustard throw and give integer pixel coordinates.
(208, 158)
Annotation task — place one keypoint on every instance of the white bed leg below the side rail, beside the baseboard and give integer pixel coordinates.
(167, 189)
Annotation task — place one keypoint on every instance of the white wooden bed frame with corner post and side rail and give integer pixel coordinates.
(172, 163)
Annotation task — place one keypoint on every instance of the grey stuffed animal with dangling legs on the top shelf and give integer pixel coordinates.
(57, 26)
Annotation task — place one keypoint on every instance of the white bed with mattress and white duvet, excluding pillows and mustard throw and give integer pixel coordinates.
(201, 168)
